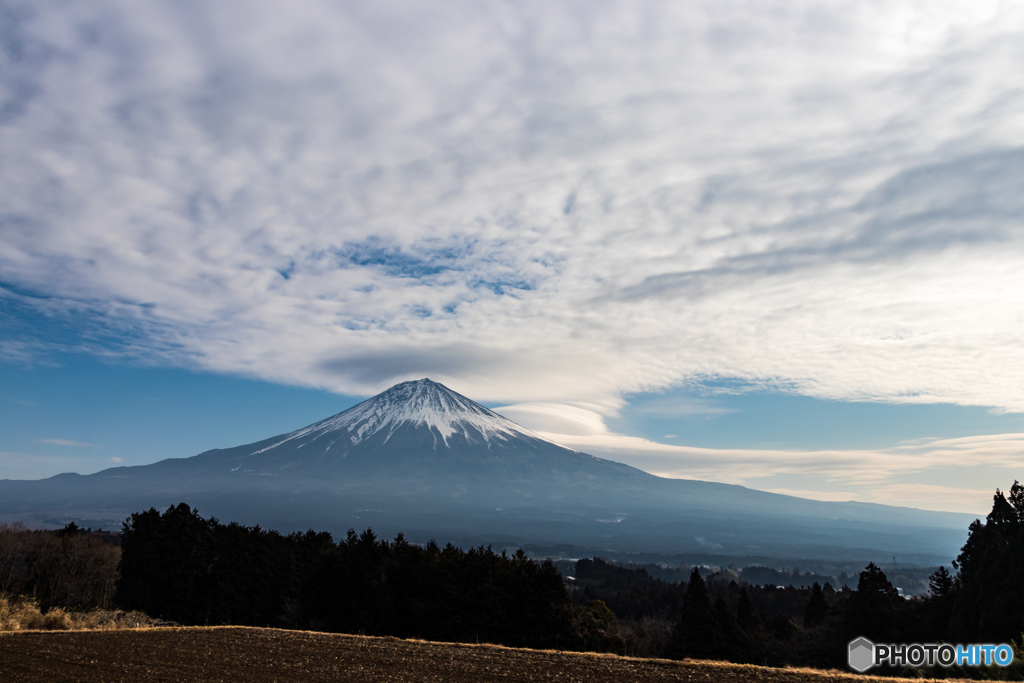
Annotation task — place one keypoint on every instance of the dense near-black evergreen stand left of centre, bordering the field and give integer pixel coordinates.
(181, 567)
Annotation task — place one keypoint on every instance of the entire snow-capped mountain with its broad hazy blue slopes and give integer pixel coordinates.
(423, 460)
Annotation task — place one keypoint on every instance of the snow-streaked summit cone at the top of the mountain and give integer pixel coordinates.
(414, 404)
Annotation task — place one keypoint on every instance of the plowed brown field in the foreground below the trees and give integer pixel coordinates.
(233, 654)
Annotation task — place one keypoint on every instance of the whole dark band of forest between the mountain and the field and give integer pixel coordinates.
(182, 568)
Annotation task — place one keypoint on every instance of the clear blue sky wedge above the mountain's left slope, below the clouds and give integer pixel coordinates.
(86, 415)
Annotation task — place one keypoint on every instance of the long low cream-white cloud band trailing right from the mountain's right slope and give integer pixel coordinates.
(927, 474)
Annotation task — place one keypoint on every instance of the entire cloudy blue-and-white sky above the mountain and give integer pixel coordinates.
(777, 244)
